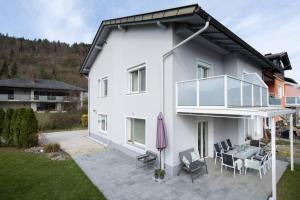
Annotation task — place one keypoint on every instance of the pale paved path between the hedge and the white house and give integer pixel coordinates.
(74, 142)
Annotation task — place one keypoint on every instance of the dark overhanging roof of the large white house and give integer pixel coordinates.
(192, 17)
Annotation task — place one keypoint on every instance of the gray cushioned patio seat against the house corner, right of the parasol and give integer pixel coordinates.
(190, 166)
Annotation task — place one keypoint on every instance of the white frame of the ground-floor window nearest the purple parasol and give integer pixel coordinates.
(128, 122)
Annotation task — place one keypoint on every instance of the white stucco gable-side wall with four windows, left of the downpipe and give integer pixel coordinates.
(123, 50)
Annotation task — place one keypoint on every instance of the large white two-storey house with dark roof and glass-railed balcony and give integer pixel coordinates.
(184, 63)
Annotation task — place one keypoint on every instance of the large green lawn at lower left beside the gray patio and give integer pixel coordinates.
(27, 176)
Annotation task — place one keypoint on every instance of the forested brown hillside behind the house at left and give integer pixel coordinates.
(42, 59)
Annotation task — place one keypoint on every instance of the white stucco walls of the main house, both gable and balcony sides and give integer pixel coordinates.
(147, 44)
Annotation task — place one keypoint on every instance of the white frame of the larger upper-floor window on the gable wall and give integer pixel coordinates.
(137, 68)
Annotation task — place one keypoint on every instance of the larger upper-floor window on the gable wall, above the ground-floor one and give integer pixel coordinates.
(138, 80)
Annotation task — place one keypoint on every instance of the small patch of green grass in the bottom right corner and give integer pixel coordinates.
(289, 185)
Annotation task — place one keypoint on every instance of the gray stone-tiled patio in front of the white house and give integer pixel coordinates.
(114, 173)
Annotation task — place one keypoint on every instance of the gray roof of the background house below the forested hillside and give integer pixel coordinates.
(38, 84)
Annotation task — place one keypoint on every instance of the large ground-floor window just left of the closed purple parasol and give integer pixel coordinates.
(136, 131)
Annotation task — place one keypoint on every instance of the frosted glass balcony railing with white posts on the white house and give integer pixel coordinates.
(223, 91)
